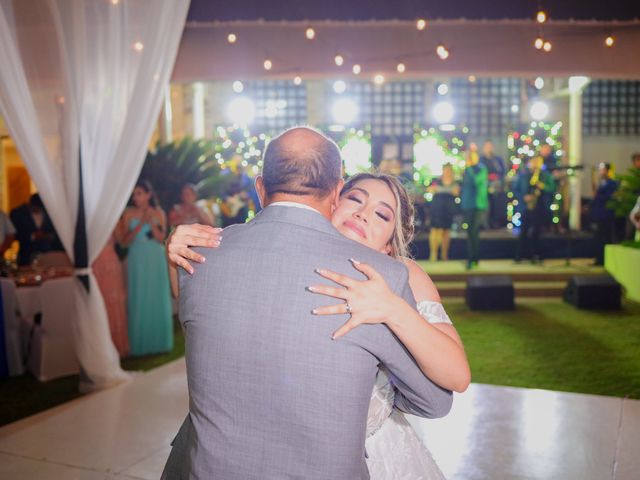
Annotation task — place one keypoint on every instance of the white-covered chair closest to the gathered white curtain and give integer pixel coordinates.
(52, 352)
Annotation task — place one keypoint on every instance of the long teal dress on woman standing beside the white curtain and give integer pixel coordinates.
(149, 295)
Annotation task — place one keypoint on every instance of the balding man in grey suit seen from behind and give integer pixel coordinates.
(272, 396)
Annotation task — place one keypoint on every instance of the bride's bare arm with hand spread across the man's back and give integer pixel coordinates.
(436, 347)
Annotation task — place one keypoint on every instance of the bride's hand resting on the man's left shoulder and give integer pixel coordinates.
(184, 237)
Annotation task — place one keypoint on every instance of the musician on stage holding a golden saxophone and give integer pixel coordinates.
(533, 189)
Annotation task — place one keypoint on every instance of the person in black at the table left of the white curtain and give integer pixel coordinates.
(34, 230)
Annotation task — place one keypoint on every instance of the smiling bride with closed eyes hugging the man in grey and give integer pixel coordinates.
(375, 210)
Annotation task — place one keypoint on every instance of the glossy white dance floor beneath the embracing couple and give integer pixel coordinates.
(492, 433)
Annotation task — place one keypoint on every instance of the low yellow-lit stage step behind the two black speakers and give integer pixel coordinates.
(546, 279)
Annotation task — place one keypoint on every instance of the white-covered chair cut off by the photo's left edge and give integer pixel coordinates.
(12, 328)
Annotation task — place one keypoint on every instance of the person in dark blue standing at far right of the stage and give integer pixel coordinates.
(603, 216)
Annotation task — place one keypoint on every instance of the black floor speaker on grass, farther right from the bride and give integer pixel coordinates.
(597, 292)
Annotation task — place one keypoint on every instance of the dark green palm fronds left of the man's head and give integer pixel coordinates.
(168, 167)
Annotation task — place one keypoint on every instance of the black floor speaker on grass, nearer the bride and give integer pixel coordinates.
(493, 292)
